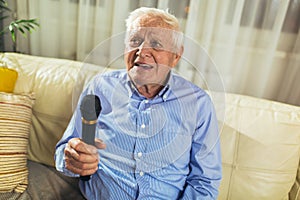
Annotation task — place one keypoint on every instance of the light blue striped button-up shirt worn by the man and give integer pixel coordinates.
(161, 148)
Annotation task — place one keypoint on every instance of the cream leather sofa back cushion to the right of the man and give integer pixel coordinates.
(260, 143)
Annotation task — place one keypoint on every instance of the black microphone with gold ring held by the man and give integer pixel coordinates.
(90, 109)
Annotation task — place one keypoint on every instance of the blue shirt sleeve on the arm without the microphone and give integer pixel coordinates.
(205, 162)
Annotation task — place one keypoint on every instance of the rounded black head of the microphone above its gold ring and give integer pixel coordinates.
(90, 107)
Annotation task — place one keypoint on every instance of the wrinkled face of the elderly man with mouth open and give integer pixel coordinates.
(150, 54)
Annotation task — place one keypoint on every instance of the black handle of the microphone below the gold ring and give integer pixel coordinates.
(88, 136)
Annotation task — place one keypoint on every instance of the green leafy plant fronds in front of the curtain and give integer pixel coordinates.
(16, 25)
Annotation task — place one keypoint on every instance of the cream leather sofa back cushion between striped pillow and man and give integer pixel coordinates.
(57, 84)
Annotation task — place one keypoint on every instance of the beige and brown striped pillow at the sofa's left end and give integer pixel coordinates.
(15, 123)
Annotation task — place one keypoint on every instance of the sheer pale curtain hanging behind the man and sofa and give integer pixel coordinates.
(254, 45)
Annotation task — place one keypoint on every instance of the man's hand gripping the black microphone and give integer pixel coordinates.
(81, 158)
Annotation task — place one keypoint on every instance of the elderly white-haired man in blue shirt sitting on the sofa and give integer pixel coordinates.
(157, 134)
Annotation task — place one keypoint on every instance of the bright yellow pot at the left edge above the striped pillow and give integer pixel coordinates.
(8, 78)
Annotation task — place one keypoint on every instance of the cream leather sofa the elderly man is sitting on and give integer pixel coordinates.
(260, 139)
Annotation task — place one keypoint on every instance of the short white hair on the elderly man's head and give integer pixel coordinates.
(164, 15)
